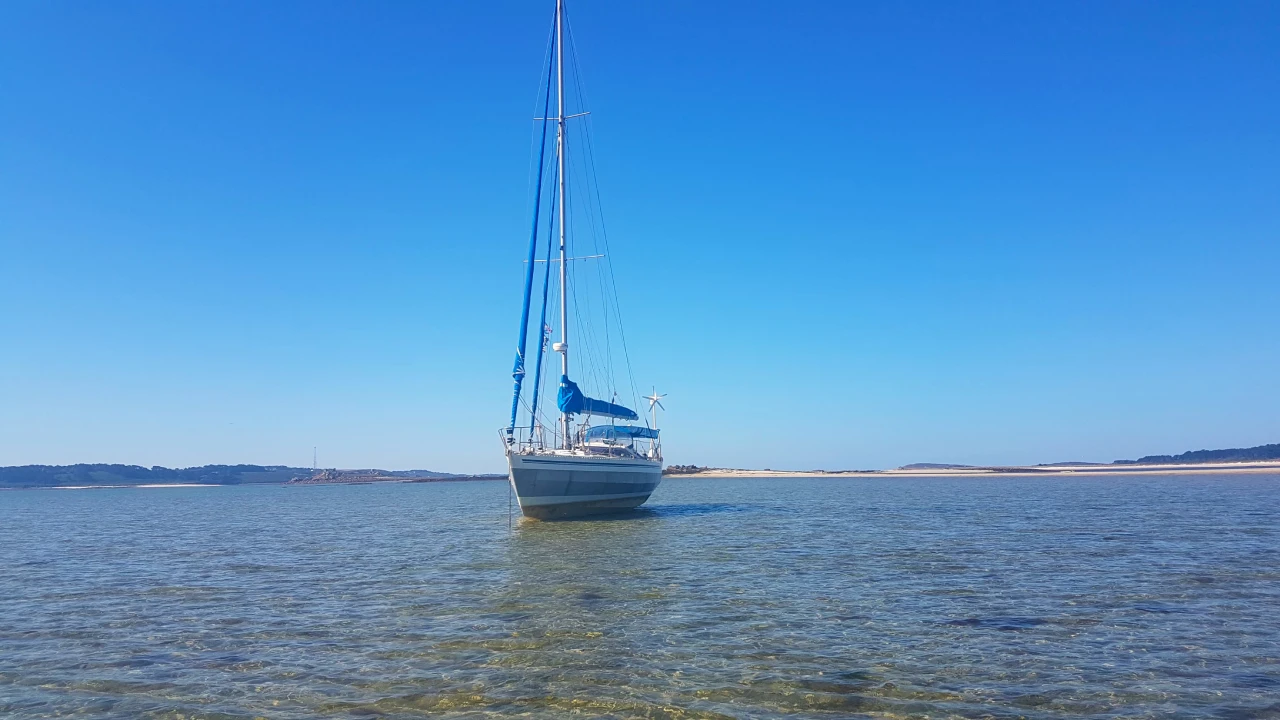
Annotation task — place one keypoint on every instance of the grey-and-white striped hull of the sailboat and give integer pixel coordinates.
(555, 485)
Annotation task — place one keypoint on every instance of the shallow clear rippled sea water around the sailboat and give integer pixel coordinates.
(1007, 598)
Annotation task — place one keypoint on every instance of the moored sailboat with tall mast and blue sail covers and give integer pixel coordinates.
(583, 462)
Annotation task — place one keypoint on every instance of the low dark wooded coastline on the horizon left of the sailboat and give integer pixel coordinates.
(102, 475)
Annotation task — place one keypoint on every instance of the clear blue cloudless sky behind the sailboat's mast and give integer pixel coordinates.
(849, 235)
